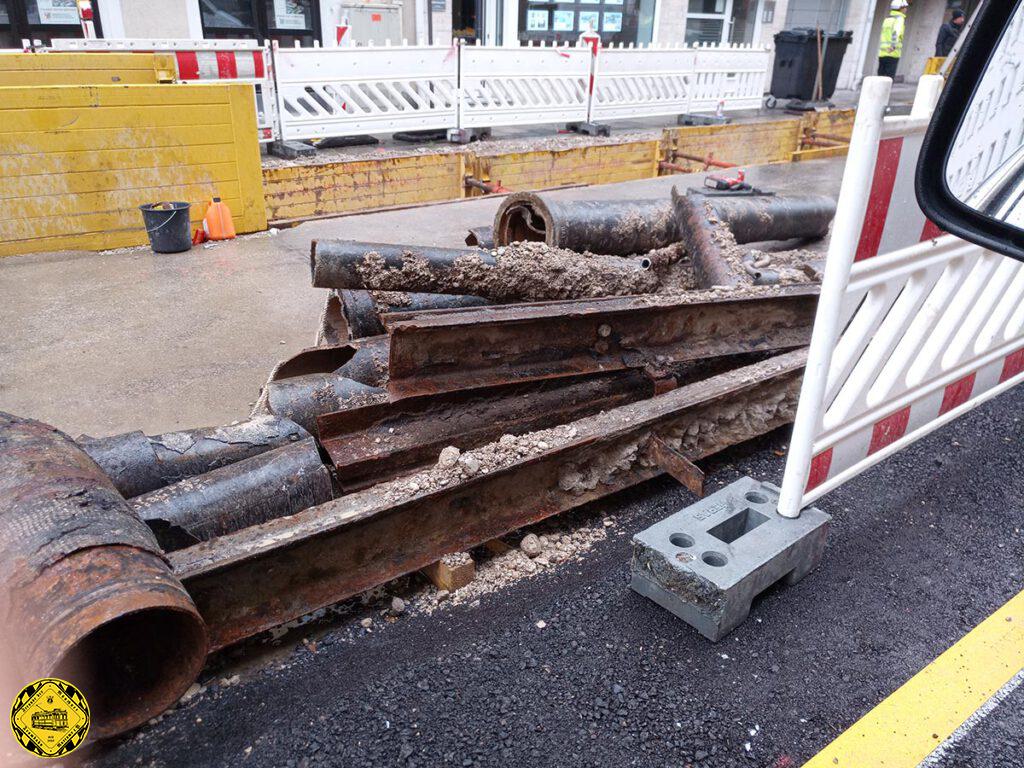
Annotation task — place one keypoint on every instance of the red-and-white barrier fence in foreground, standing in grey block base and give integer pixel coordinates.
(913, 328)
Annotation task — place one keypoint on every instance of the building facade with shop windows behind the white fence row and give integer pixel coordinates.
(493, 23)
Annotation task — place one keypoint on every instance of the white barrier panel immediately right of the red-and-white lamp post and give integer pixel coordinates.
(634, 82)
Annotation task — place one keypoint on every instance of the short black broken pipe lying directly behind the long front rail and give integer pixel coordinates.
(265, 488)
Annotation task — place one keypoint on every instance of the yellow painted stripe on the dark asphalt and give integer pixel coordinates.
(921, 715)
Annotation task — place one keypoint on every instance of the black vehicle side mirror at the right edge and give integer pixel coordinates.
(970, 179)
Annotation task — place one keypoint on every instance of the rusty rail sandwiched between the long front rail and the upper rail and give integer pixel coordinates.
(374, 444)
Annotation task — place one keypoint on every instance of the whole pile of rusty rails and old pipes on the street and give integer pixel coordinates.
(459, 396)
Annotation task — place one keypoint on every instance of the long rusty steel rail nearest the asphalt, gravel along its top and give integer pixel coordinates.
(260, 578)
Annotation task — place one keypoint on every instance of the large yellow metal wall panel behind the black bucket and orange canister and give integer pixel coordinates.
(76, 162)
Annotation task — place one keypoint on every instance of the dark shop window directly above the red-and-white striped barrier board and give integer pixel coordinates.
(287, 22)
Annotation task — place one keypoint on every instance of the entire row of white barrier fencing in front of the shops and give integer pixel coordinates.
(310, 94)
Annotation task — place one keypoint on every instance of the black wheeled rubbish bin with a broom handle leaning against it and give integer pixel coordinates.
(797, 63)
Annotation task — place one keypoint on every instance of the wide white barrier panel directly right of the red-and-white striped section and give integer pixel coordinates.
(352, 92)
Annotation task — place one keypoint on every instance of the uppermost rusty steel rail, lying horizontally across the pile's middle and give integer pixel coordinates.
(449, 351)
